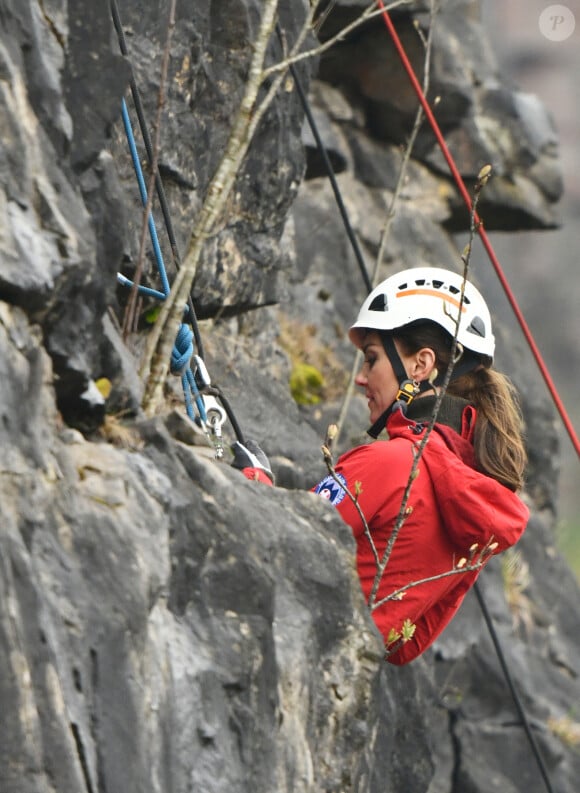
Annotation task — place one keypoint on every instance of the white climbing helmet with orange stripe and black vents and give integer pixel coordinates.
(428, 293)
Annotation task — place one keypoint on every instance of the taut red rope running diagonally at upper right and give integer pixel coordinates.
(484, 238)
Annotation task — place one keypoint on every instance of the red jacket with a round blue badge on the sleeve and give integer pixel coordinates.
(453, 506)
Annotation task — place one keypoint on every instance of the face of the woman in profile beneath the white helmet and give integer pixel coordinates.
(377, 376)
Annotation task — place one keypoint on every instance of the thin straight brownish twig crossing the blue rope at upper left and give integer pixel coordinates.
(130, 316)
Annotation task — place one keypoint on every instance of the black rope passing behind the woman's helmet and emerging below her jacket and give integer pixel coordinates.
(480, 598)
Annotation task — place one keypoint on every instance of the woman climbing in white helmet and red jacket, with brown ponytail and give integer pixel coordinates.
(463, 501)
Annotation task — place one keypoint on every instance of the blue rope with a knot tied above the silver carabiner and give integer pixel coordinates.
(183, 348)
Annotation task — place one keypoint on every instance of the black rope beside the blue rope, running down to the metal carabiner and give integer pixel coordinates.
(165, 210)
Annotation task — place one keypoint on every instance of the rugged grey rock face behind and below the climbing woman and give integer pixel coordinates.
(166, 625)
